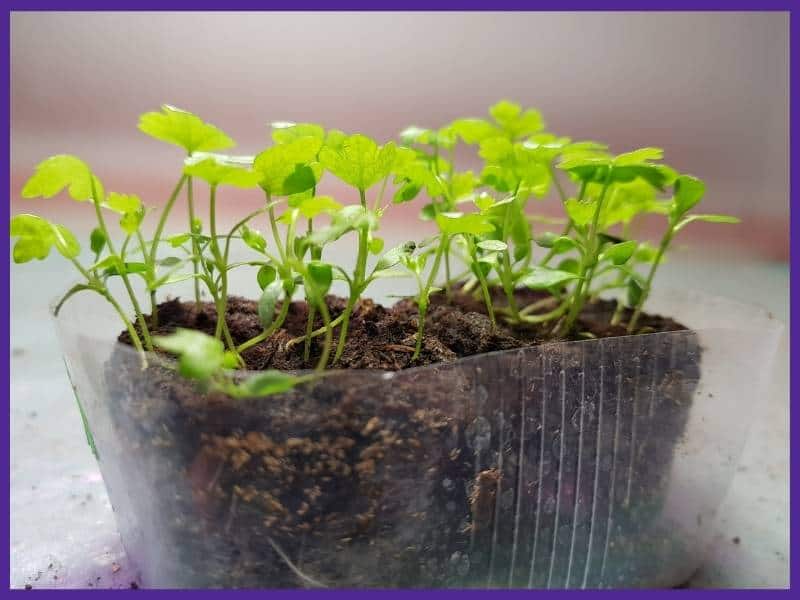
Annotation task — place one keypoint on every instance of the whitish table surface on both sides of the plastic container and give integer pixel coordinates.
(62, 527)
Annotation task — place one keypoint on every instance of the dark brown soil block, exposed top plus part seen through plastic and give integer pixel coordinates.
(540, 470)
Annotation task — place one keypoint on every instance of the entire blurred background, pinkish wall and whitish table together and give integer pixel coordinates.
(709, 88)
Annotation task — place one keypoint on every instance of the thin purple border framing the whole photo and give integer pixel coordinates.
(429, 5)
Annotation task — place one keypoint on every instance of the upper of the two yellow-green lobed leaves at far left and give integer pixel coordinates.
(63, 171)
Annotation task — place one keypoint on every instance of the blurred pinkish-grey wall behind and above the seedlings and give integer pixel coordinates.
(710, 88)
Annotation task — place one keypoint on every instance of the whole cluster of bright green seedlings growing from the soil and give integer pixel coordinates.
(482, 220)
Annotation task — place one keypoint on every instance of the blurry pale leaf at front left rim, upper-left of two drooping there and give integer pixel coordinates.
(200, 356)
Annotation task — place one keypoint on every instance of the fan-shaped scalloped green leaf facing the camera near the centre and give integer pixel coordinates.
(358, 160)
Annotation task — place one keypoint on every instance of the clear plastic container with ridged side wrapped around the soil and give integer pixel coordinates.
(589, 464)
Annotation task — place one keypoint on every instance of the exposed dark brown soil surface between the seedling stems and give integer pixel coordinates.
(384, 338)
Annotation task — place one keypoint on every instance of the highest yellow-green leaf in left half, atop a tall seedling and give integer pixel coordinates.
(182, 128)
